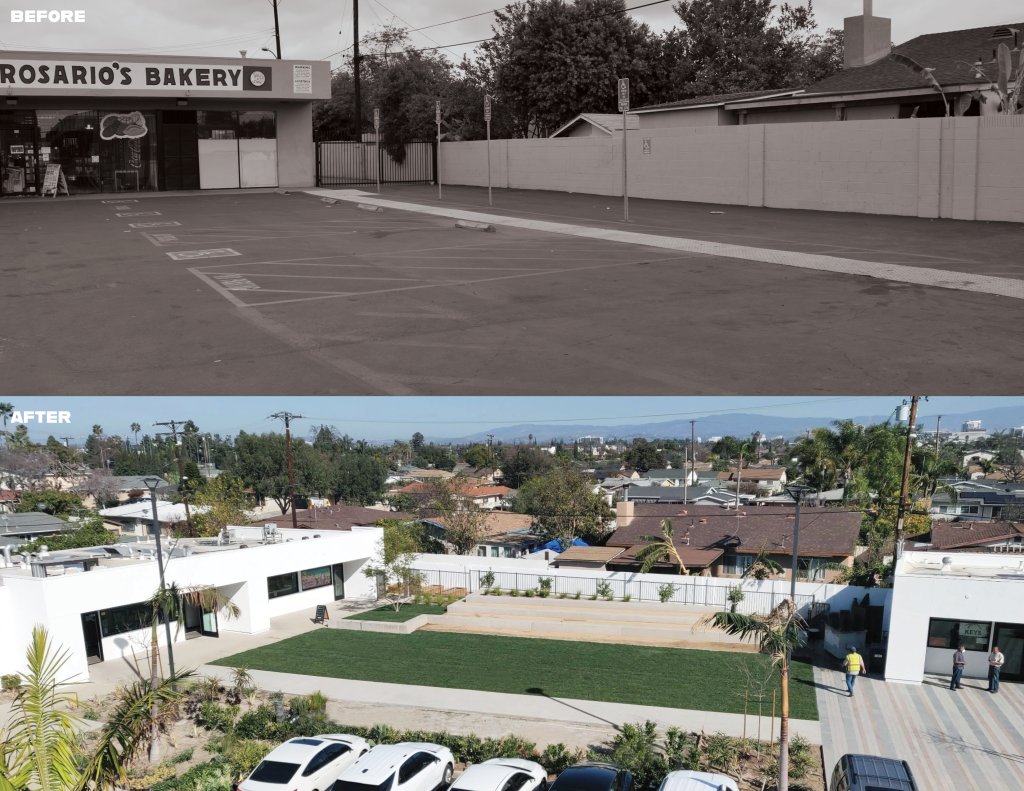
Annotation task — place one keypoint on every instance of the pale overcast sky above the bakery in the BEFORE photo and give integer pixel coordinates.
(319, 29)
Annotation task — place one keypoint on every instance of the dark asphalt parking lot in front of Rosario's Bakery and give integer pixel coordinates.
(271, 294)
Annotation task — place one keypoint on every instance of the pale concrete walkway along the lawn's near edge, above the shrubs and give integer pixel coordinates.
(541, 707)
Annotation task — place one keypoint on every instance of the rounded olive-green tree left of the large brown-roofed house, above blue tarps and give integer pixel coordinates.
(566, 507)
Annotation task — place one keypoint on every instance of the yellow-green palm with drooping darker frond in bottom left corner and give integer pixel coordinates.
(41, 746)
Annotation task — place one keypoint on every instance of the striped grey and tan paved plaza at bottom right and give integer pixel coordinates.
(953, 740)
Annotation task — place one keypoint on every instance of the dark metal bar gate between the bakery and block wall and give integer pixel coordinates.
(344, 162)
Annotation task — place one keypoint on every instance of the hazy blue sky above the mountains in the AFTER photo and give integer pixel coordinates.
(390, 419)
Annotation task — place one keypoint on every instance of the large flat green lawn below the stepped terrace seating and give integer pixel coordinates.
(646, 676)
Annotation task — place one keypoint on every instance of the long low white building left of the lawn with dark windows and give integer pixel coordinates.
(92, 601)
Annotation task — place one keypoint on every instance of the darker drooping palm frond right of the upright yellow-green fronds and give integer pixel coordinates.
(130, 729)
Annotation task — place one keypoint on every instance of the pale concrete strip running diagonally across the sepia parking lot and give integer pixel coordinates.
(921, 276)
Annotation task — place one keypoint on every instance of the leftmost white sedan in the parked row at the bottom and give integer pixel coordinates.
(306, 764)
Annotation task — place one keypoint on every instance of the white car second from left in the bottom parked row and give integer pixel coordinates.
(403, 767)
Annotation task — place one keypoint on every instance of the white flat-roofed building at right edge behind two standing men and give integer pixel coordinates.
(941, 601)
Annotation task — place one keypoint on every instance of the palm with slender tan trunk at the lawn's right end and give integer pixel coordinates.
(777, 635)
